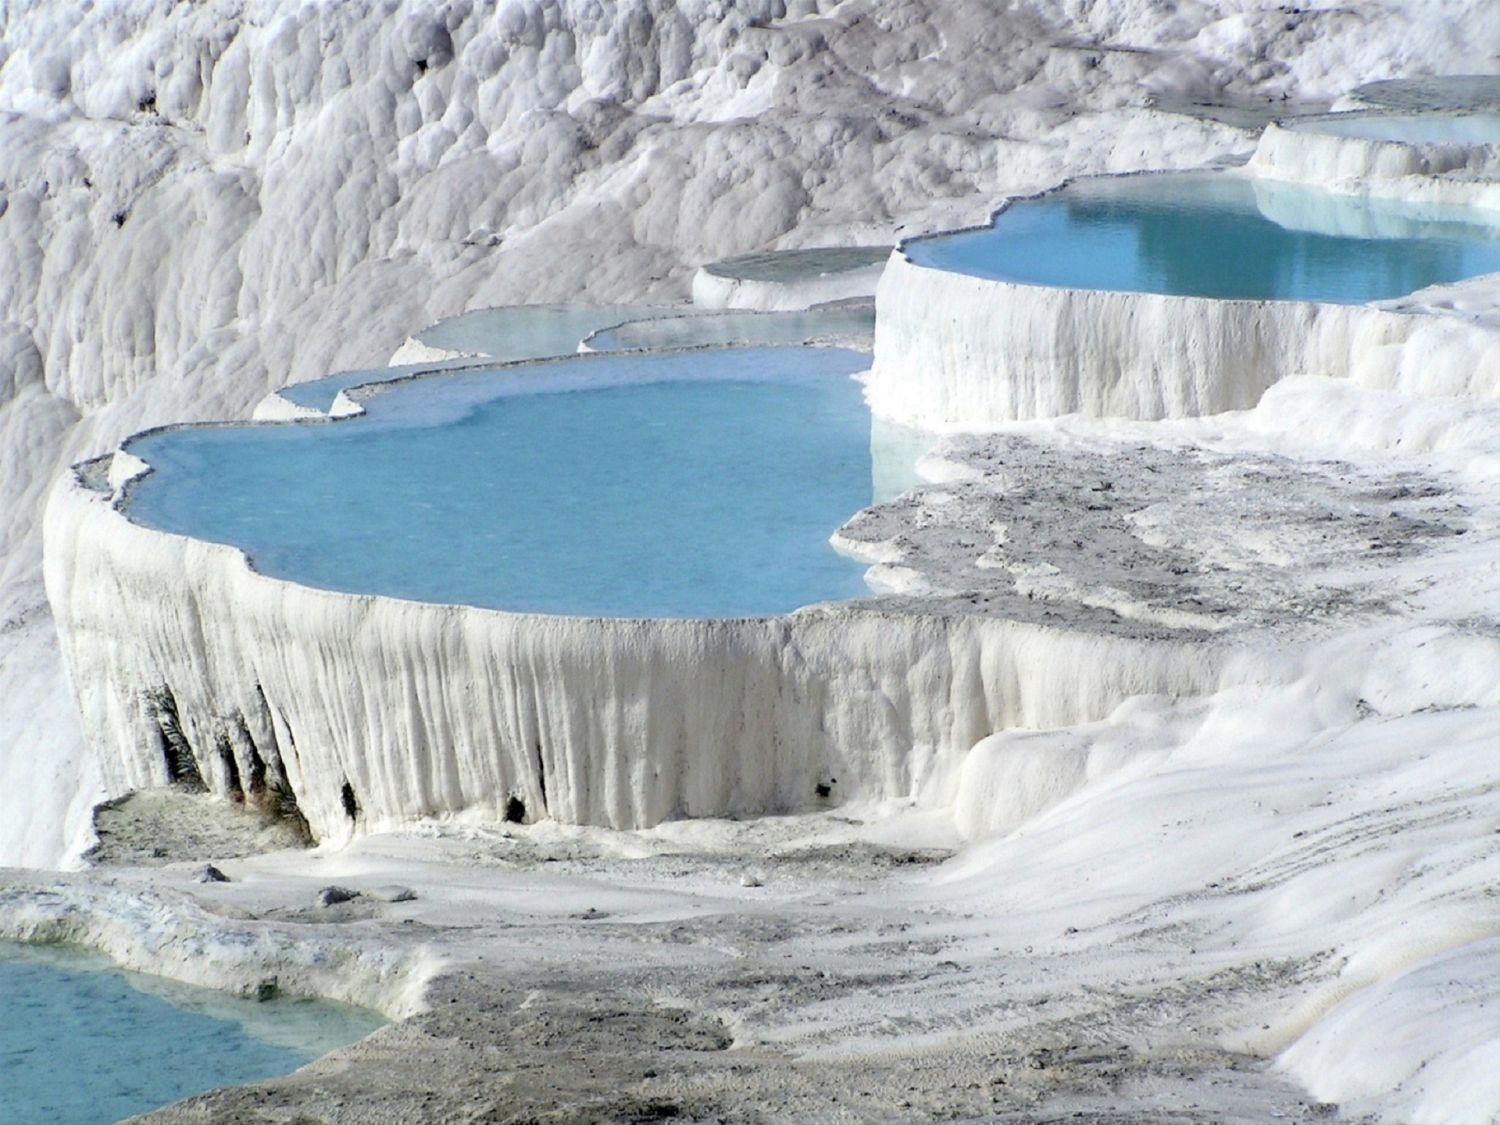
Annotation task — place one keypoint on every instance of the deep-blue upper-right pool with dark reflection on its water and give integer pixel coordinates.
(1205, 235)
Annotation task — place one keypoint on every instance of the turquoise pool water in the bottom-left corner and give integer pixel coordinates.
(80, 1045)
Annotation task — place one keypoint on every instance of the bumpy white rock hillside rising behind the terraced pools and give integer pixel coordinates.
(199, 205)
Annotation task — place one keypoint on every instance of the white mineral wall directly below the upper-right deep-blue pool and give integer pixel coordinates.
(959, 352)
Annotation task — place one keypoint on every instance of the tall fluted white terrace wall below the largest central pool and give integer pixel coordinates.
(428, 710)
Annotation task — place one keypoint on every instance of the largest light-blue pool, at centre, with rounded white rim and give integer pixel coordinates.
(698, 484)
